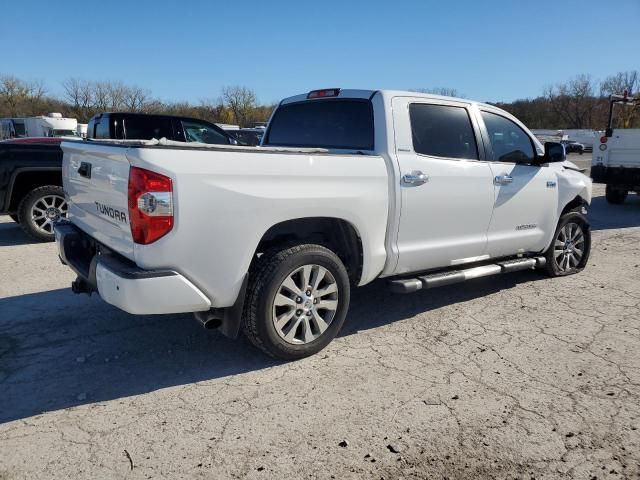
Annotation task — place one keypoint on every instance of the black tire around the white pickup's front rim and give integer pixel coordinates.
(552, 266)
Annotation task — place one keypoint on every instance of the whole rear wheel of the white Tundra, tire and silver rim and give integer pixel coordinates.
(297, 301)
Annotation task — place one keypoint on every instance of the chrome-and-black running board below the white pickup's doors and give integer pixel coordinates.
(432, 280)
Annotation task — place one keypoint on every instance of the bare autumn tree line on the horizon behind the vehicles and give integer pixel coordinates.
(580, 102)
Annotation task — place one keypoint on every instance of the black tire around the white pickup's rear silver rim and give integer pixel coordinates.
(265, 282)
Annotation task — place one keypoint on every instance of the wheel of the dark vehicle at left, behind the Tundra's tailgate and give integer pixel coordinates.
(40, 209)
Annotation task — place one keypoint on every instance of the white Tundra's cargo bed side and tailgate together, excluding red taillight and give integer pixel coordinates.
(218, 190)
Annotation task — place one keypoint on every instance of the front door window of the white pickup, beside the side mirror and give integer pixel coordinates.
(508, 141)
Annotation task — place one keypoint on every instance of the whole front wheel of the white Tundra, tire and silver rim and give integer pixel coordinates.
(571, 246)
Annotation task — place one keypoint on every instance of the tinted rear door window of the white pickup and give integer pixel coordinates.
(442, 131)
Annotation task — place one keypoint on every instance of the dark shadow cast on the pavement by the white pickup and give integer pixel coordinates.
(59, 350)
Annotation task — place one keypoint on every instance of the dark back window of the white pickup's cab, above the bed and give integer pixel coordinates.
(343, 124)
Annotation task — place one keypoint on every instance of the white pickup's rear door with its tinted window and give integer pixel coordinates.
(446, 189)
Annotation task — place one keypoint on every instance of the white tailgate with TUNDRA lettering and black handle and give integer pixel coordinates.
(95, 179)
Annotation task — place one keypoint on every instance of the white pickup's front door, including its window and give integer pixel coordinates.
(526, 195)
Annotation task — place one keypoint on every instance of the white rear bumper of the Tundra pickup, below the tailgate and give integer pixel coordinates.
(122, 283)
